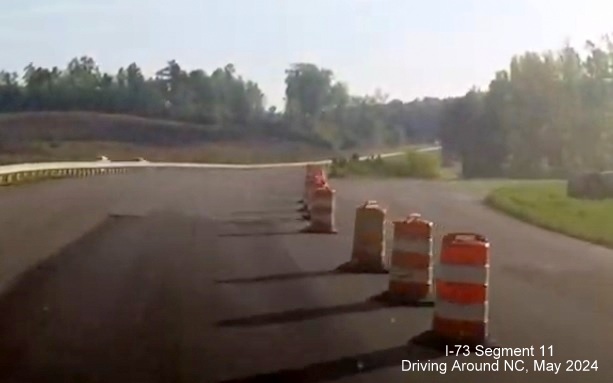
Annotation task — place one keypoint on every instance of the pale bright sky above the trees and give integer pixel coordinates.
(408, 49)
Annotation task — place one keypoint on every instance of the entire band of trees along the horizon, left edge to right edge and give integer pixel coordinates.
(546, 115)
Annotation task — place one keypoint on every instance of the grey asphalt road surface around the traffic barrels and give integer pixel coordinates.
(202, 276)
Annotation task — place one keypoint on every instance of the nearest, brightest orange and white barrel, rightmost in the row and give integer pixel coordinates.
(461, 307)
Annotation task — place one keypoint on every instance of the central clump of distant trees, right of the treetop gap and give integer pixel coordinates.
(318, 103)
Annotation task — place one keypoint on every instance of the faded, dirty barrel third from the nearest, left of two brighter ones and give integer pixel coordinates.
(368, 240)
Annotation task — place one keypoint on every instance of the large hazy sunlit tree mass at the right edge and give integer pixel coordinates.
(547, 115)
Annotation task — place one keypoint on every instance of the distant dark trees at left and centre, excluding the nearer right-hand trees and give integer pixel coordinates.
(317, 105)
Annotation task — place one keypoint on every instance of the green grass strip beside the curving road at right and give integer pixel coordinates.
(545, 204)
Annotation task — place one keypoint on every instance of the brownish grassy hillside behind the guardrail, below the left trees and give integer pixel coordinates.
(45, 136)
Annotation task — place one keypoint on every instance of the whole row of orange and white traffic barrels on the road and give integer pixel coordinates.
(456, 285)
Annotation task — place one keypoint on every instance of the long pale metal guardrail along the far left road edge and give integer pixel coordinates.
(10, 173)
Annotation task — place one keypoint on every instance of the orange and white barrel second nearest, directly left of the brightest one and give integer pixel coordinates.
(411, 261)
